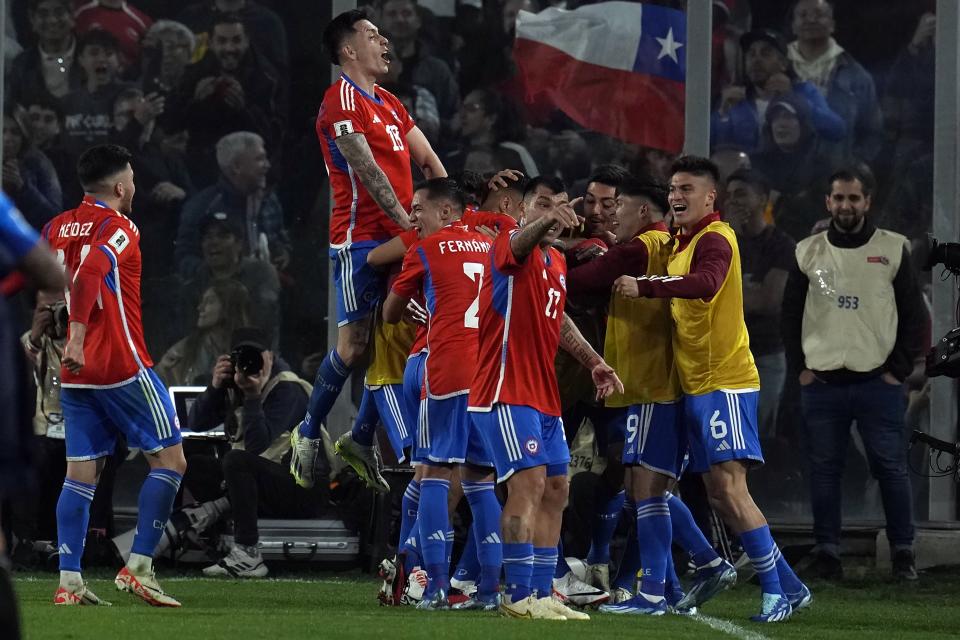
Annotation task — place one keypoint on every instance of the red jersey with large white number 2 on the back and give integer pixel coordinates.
(448, 265)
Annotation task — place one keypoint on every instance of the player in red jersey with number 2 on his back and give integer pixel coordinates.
(447, 264)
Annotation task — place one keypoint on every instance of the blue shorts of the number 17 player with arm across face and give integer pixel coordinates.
(520, 437)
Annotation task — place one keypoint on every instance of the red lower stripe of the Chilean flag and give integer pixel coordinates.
(638, 108)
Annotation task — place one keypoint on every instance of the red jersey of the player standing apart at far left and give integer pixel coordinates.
(100, 250)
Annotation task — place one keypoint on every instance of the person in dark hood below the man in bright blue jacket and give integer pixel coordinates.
(792, 159)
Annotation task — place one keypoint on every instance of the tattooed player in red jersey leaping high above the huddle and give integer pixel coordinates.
(367, 139)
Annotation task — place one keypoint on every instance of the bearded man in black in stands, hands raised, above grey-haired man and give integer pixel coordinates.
(231, 90)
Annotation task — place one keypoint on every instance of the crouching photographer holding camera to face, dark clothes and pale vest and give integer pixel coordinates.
(258, 400)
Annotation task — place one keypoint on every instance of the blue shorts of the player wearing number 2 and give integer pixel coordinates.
(446, 433)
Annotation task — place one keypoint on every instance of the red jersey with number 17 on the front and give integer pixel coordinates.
(521, 309)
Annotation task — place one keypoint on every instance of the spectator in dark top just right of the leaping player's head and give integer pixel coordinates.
(401, 23)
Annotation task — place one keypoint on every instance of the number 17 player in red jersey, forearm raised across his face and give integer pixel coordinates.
(514, 399)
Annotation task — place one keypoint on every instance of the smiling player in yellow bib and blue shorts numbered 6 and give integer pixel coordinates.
(718, 376)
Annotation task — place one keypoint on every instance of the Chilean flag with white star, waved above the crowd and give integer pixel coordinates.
(615, 67)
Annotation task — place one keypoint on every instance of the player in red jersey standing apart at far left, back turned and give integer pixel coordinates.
(108, 386)
